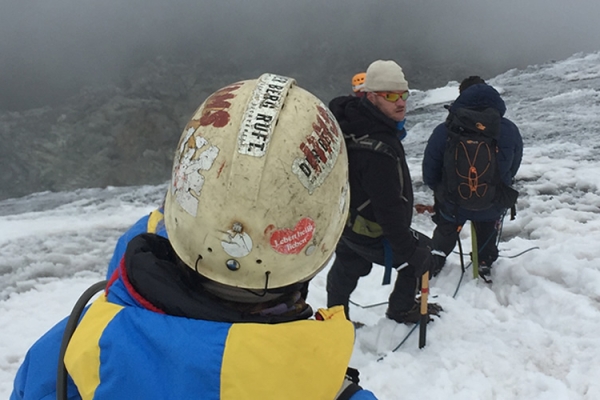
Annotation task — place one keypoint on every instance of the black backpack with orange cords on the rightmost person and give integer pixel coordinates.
(470, 176)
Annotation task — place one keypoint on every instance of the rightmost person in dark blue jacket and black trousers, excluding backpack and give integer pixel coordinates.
(473, 93)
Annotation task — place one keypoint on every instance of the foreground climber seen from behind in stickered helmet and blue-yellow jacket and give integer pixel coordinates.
(257, 202)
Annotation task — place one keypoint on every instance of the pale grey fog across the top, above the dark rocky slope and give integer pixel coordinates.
(51, 49)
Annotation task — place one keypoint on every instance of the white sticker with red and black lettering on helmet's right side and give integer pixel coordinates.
(320, 149)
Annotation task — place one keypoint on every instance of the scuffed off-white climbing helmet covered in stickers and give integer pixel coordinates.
(259, 190)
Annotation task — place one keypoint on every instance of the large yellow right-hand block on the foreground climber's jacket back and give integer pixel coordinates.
(317, 354)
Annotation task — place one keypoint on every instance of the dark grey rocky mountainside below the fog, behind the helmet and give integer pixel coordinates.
(125, 134)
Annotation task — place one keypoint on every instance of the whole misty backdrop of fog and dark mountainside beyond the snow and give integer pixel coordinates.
(96, 93)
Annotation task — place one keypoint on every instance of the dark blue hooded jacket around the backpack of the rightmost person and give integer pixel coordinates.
(510, 148)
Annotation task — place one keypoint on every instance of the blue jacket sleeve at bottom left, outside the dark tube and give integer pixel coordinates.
(36, 378)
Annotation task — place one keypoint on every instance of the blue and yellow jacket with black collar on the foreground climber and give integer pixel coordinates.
(155, 334)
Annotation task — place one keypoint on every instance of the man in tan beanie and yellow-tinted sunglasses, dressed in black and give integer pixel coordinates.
(381, 196)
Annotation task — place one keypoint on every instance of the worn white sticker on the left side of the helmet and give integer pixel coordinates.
(187, 179)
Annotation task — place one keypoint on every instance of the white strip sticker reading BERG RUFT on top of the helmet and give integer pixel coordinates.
(261, 114)
